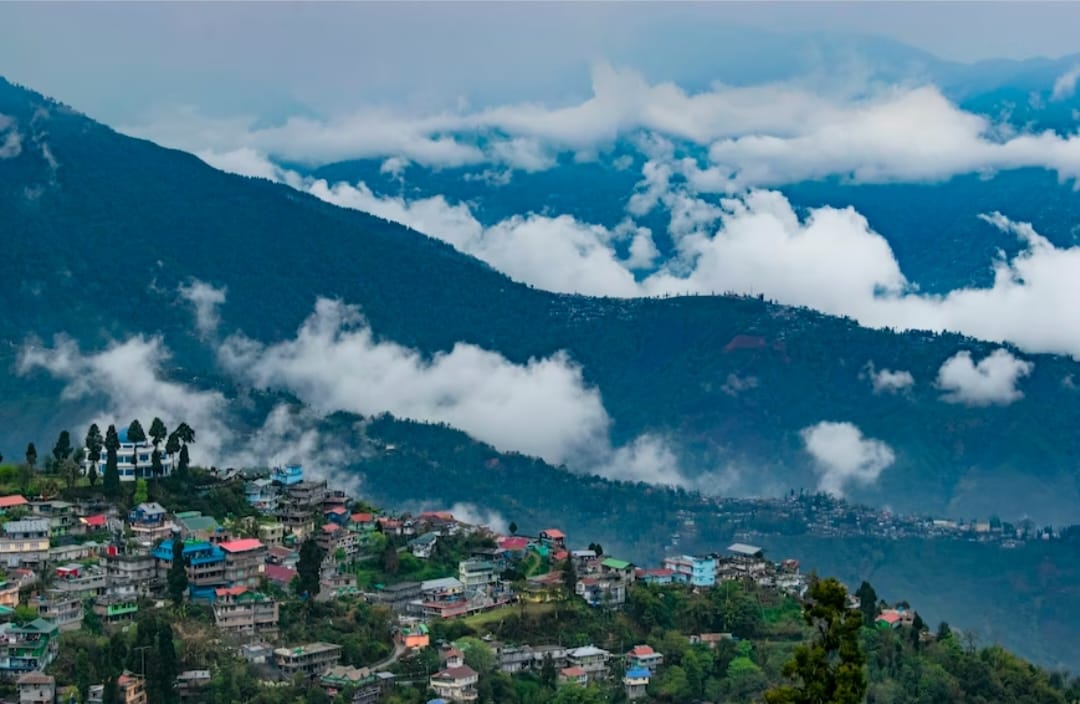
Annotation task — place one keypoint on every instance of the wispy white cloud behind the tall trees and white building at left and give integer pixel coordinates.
(129, 376)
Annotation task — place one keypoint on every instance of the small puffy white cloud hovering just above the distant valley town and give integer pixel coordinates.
(843, 456)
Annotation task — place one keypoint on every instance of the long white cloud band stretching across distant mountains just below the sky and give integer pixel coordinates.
(757, 137)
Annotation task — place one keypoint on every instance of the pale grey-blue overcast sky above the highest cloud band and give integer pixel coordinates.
(121, 62)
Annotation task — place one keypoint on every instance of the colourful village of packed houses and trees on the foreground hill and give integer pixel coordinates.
(155, 581)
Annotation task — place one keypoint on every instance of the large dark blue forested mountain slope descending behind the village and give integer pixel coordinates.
(102, 229)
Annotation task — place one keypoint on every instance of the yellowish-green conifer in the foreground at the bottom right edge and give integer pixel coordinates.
(829, 670)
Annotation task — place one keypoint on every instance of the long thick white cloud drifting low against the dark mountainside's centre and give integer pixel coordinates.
(543, 408)
